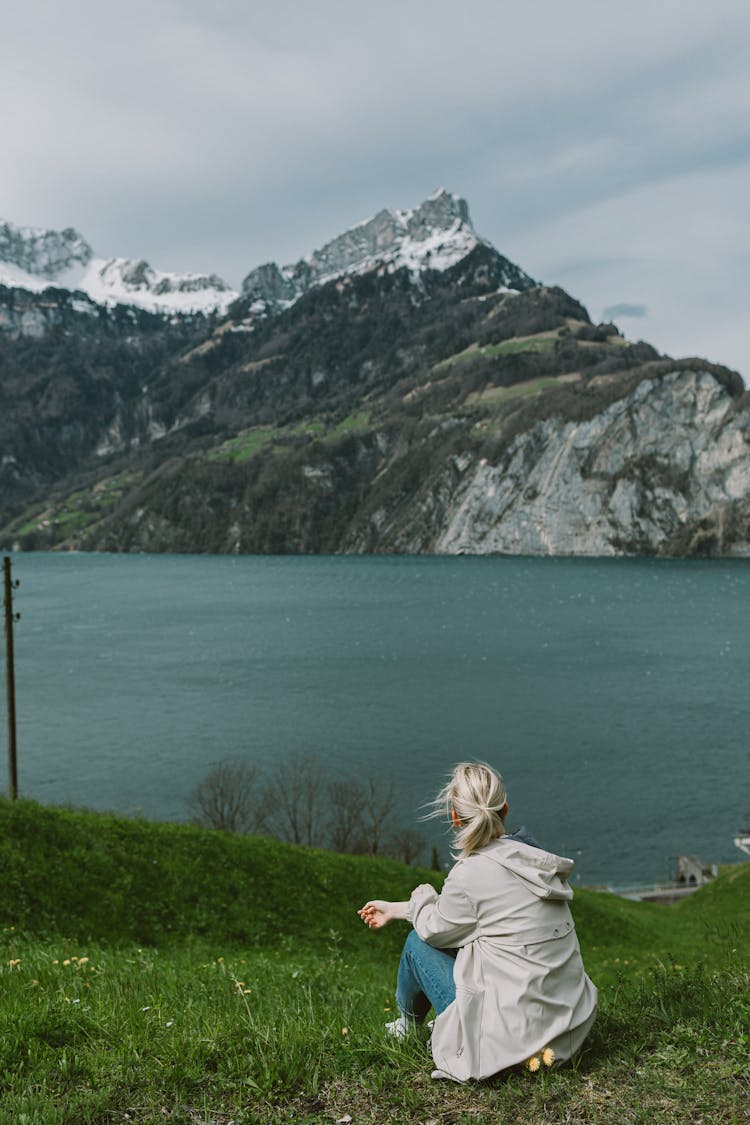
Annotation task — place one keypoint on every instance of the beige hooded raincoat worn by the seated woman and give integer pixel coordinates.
(520, 980)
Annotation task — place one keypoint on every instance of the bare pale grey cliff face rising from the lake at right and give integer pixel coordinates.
(622, 483)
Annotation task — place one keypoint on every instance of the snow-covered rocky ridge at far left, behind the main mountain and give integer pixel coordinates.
(37, 259)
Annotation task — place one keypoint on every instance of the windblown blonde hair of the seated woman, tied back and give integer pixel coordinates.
(477, 795)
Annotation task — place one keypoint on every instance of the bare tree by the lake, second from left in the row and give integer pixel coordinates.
(294, 799)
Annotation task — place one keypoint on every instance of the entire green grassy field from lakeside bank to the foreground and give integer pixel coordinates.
(167, 974)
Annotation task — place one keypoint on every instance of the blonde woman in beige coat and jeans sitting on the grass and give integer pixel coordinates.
(495, 953)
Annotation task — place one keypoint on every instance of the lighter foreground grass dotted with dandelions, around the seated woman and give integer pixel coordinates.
(200, 1033)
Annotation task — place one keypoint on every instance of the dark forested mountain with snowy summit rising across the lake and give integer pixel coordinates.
(405, 389)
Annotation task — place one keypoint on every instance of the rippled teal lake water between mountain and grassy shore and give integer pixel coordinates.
(612, 695)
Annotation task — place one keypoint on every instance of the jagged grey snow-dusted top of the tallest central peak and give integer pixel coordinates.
(436, 236)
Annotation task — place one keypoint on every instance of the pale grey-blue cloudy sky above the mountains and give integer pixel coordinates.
(604, 148)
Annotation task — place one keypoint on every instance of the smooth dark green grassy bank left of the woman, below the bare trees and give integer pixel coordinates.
(111, 879)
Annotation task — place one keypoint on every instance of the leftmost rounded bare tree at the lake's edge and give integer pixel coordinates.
(229, 798)
